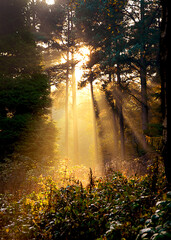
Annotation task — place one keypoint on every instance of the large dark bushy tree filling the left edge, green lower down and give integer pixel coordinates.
(24, 89)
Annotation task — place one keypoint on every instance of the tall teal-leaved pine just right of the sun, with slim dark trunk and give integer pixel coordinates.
(100, 25)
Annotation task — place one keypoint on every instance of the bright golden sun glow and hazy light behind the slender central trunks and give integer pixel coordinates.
(84, 116)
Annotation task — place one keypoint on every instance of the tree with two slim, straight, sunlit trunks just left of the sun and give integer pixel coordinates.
(61, 37)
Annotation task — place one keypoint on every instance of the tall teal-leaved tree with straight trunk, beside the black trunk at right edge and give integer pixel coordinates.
(143, 40)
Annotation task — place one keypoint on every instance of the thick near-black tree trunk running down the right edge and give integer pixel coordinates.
(164, 68)
